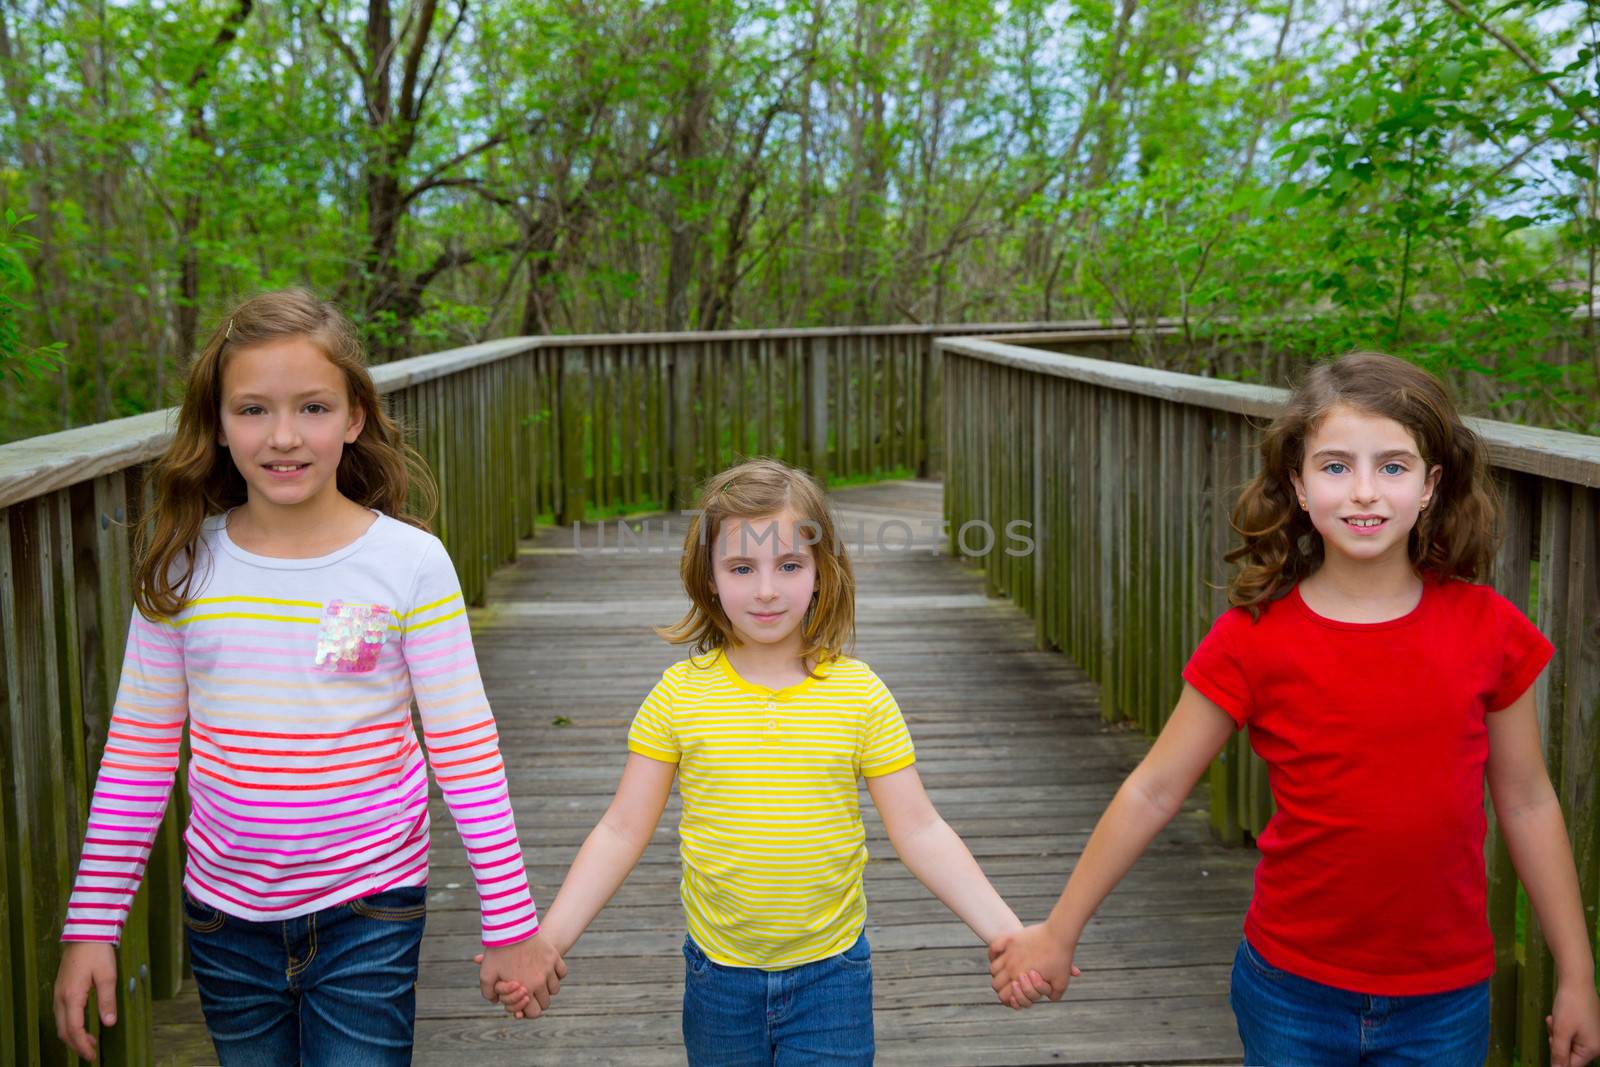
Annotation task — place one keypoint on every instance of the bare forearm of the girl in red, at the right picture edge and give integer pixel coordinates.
(1542, 853)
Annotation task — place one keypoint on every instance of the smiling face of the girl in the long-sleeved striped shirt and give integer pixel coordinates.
(286, 422)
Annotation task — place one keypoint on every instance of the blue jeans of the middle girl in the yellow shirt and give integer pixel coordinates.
(815, 1013)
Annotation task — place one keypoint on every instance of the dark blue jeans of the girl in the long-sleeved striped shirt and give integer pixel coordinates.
(332, 988)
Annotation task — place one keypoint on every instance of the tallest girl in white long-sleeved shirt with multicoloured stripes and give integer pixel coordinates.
(292, 612)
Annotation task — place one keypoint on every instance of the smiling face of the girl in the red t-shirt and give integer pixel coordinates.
(1364, 484)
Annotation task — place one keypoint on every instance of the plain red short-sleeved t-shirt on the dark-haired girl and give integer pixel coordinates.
(1372, 868)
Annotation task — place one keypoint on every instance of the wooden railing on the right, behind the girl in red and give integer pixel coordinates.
(1127, 476)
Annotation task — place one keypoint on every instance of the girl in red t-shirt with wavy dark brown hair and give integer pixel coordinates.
(1382, 687)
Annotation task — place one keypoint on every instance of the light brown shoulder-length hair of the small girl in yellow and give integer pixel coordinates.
(761, 489)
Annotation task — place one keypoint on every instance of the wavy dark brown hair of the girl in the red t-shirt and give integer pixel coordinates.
(1454, 538)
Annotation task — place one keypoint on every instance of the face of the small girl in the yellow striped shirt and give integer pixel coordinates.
(764, 577)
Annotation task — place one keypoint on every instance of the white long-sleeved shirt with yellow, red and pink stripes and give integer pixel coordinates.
(306, 778)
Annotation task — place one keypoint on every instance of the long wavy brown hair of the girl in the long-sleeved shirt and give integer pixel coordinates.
(196, 476)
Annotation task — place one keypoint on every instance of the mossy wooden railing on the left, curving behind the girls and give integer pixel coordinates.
(514, 430)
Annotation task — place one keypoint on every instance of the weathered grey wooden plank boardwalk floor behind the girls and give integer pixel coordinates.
(1012, 751)
